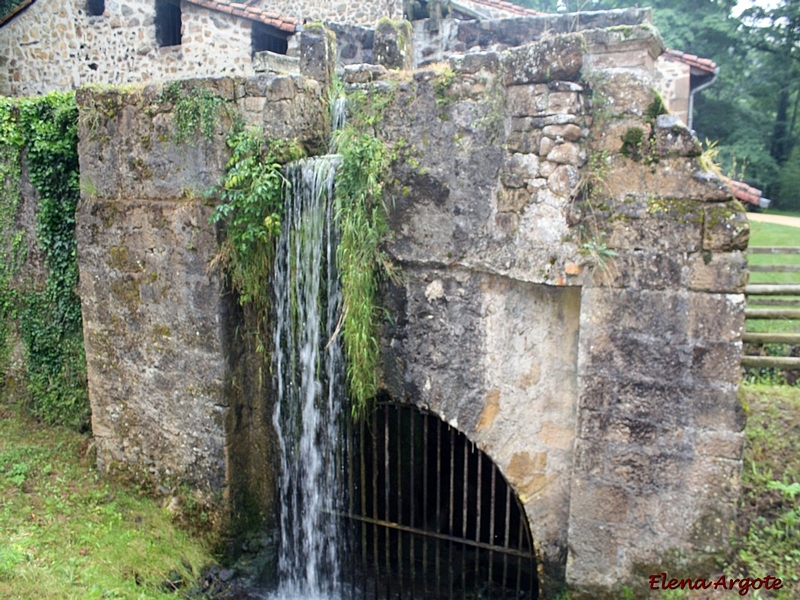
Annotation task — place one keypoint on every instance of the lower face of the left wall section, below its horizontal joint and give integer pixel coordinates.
(154, 354)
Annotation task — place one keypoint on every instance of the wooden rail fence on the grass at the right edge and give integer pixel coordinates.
(783, 303)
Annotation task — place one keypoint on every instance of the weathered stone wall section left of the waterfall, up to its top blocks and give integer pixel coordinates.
(175, 394)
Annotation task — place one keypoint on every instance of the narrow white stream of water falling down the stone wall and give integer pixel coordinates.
(309, 372)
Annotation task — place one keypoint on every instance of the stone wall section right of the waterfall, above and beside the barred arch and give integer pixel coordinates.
(592, 287)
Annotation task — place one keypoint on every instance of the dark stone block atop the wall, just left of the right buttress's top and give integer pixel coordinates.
(558, 58)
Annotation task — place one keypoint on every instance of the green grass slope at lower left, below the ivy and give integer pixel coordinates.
(69, 533)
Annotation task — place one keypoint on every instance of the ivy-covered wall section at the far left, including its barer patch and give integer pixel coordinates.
(41, 339)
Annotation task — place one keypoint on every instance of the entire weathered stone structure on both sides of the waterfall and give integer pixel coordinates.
(550, 226)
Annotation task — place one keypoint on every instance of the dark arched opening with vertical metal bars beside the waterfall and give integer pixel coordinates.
(429, 515)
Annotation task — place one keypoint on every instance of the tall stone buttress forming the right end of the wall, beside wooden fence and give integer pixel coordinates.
(659, 437)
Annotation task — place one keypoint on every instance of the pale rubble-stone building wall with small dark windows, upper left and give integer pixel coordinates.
(56, 46)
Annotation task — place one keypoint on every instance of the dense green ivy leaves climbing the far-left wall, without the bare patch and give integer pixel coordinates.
(50, 324)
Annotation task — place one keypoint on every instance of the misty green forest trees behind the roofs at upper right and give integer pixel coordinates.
(750, 114)
